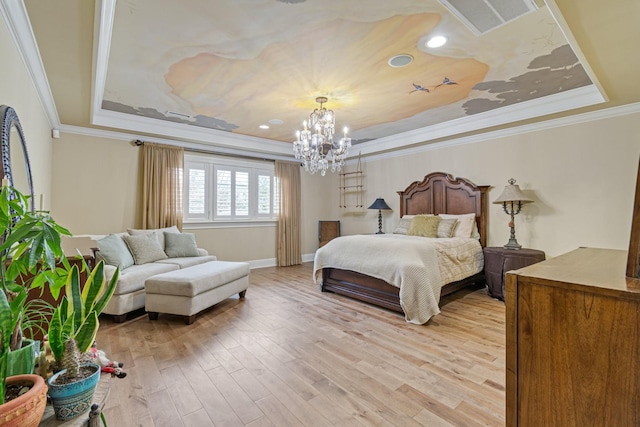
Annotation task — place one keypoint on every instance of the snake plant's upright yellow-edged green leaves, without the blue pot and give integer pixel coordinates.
(76, 317)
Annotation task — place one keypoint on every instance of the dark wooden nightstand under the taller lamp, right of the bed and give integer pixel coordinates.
(498, 260)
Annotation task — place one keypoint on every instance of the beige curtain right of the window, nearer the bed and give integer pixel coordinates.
(289, 240)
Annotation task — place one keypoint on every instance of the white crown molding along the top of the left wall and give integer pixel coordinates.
(15, 15)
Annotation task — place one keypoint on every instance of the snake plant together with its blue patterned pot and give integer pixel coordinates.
(72, 331)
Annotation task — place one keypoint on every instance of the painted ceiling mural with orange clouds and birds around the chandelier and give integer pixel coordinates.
(236, 65)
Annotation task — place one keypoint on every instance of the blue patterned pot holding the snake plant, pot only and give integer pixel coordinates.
(71, 400)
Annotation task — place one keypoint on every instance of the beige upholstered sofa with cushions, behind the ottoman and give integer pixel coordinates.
(142, 254)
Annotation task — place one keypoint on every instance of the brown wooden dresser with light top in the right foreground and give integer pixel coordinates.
(573, 342)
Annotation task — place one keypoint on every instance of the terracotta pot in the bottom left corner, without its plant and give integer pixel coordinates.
(26, 410)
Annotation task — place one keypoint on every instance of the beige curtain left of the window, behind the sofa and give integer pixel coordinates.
(162, 167)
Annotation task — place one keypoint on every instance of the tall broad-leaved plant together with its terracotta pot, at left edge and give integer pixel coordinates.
(30, 248)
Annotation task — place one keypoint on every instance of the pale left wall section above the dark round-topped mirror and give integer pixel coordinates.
(18, 91)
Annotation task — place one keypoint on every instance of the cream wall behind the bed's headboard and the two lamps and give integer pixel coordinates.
(581, 176)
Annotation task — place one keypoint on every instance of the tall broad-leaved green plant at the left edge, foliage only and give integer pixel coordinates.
(31, 256)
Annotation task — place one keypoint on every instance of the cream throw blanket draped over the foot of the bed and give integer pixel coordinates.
(410, 263)
